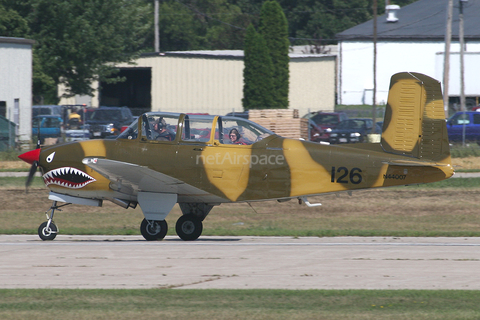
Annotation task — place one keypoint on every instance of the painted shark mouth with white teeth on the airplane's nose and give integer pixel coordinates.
(67, 177)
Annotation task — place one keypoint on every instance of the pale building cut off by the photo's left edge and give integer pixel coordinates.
(16, 84)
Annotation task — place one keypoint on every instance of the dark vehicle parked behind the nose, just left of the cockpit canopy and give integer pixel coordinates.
(106, 122)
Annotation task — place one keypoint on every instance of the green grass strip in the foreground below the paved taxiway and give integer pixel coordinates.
(215, 304)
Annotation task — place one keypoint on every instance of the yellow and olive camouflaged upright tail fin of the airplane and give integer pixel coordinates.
(414, 122)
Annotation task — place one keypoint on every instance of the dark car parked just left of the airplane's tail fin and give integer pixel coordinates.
(353, 131)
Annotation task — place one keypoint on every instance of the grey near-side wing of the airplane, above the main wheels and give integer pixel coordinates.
(131, 178)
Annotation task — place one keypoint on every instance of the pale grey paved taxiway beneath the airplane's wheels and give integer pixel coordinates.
(240, 262)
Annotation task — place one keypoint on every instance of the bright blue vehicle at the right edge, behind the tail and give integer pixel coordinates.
(468, 121)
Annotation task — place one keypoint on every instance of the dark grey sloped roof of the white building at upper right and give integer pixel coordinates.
(421, 20)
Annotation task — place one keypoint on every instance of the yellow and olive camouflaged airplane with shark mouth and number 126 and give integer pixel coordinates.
(201, 161)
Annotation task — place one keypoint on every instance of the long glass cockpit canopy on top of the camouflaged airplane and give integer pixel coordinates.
(165, 126)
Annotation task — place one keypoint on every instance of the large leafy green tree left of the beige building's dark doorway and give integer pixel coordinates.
(79, 41)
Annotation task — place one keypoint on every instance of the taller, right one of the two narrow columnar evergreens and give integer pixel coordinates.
(274, 29)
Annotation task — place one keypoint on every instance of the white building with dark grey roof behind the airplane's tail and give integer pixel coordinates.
(413, 41)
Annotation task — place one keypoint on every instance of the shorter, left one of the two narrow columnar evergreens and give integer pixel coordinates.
(257, 73)
